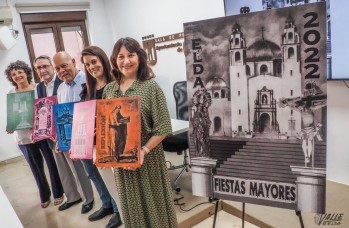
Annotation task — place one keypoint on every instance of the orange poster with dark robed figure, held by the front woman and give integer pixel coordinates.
(118, 133)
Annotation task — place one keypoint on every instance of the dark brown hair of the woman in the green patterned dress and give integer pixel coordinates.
(132, 45)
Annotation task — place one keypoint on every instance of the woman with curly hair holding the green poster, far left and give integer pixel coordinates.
(20, 75)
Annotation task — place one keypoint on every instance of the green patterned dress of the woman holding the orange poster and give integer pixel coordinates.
(145, 194)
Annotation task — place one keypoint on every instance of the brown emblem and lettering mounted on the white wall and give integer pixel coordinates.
(150, 45)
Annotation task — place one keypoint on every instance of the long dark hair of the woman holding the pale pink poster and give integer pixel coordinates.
(90, 80)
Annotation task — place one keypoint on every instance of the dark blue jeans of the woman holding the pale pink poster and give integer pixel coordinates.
(93, 173)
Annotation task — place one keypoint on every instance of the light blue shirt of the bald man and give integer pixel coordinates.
(70, 92)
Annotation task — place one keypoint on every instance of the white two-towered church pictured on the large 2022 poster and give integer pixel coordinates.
(256, 73)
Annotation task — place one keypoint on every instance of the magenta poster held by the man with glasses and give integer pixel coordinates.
(43, 124)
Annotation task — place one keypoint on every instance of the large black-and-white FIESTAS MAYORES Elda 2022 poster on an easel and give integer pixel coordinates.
(257, 104)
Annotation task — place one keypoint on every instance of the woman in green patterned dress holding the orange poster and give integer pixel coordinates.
(145, 193)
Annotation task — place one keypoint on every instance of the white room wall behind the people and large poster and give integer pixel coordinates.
(109, 20)
